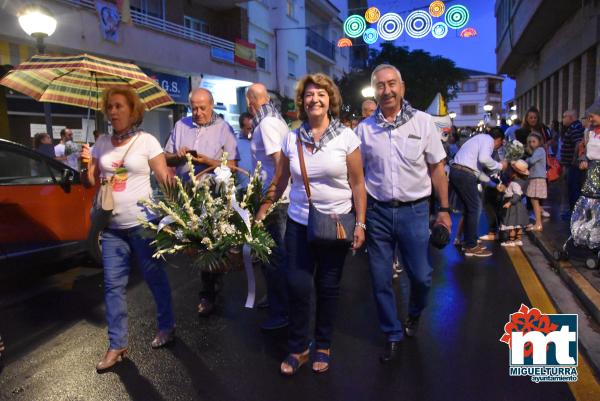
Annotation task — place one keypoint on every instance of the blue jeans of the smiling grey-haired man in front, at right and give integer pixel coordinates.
(405, 227)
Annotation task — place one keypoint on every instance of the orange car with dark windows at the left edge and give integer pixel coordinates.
(44, 209)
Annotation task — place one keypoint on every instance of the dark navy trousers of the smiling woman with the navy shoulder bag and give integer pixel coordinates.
(321, 265)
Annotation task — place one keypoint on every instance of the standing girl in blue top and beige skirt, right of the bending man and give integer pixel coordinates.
(537, 188)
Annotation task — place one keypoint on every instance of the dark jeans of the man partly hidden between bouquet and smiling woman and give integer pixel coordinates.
(274, 270)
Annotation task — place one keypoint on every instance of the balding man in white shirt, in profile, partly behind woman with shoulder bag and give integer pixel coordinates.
(267, 137)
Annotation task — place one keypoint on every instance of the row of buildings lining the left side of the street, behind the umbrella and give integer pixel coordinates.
(183, 44)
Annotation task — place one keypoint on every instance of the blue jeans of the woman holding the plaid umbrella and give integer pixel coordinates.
(118, 248)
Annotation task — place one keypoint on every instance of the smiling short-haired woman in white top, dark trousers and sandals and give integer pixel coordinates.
(335, 172)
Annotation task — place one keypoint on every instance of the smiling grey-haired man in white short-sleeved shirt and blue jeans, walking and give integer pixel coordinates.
(403, 157)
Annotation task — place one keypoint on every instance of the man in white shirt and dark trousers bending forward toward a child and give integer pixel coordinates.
(468, 166)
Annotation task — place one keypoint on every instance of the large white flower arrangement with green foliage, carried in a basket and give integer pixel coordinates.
(206, 218)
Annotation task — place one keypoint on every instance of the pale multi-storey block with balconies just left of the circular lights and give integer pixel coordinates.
(296, 37)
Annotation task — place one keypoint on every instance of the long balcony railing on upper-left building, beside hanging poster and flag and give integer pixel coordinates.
(162, 25)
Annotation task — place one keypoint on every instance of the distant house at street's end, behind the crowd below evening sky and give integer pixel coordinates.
(479, 89)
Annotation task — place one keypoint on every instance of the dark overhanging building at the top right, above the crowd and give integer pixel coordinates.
(552, 49)
